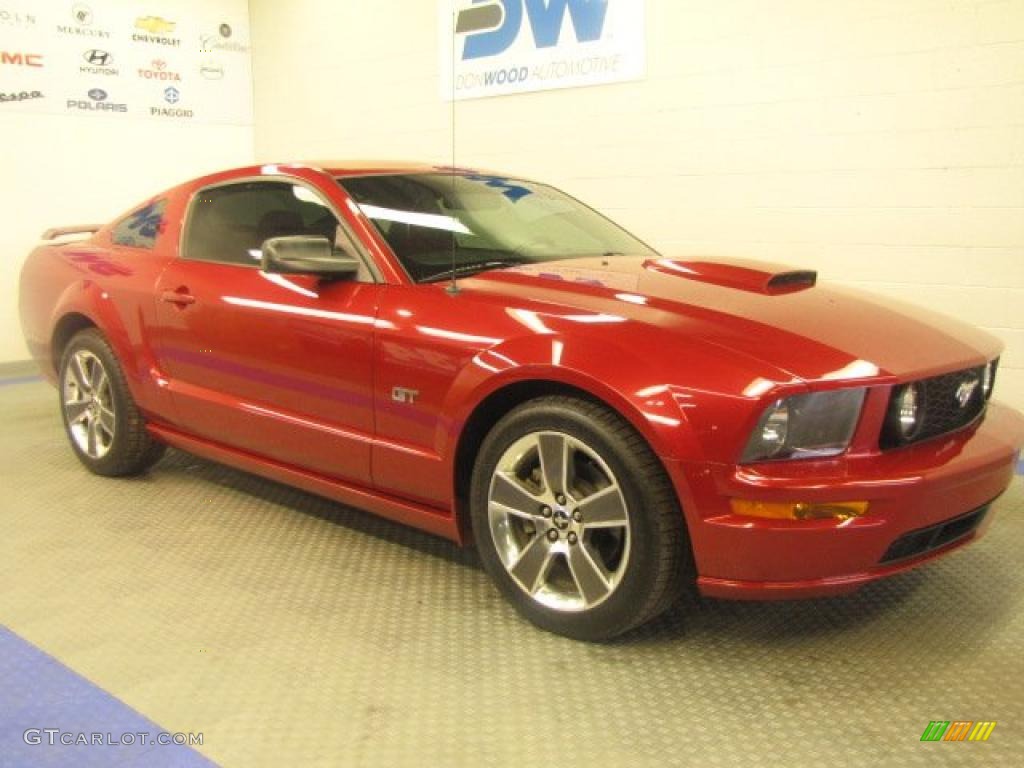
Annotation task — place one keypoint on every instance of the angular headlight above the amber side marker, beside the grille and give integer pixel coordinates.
(806, 426)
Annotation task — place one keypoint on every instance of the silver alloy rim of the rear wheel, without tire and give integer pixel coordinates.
(89, 405)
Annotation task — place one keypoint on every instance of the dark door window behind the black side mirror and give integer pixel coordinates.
(230, 224)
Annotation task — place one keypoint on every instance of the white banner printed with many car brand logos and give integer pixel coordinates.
(178, 60)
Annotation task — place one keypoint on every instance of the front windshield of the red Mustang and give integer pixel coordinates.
(482, 223)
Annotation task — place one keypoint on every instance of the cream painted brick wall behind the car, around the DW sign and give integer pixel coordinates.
(880, 142)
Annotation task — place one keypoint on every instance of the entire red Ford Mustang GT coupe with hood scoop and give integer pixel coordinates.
(481, 356)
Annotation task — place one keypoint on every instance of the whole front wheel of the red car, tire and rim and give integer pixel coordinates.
(576, 520)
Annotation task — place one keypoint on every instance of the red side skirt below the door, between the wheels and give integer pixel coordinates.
(426, 519)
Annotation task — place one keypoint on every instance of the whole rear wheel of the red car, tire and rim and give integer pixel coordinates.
(104, 424)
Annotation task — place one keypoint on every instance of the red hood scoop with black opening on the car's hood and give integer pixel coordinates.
(753, 277)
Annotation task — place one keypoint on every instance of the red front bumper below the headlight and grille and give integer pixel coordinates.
(926, 500)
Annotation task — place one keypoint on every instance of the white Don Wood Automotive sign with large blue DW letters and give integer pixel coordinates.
(498, 48)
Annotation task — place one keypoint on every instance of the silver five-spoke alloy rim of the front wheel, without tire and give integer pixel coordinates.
(560, 522)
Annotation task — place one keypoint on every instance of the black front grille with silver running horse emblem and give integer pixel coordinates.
(942, 408)
